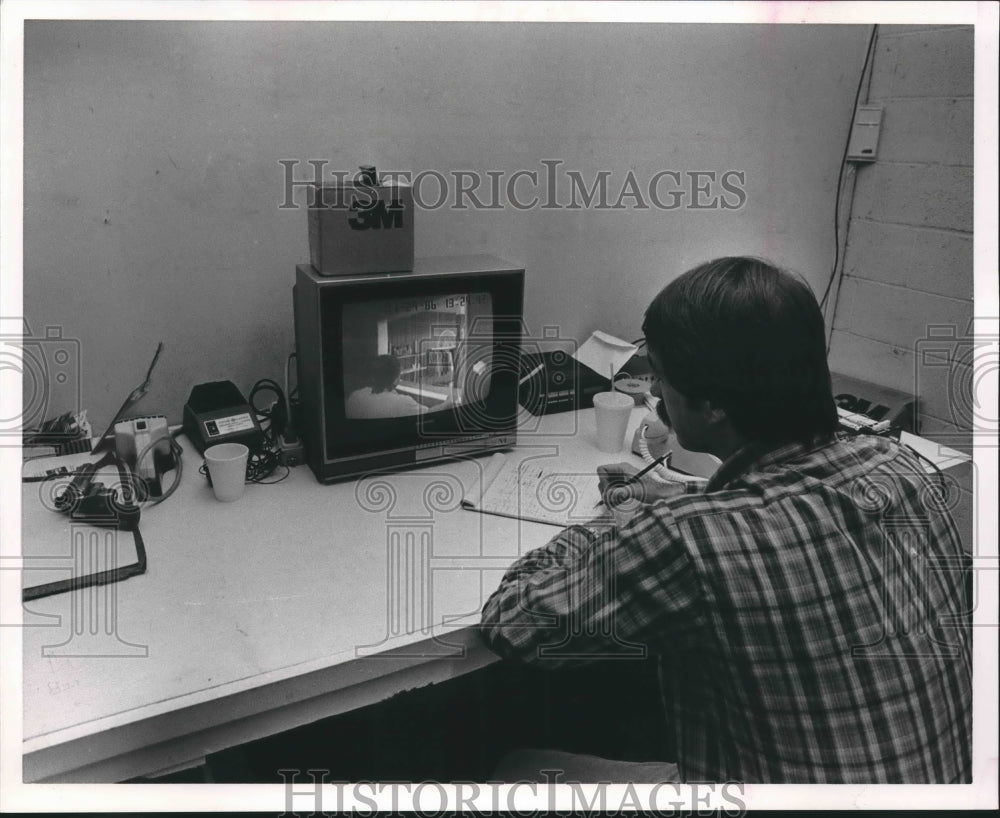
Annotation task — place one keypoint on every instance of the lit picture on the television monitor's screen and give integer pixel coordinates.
(410, 356)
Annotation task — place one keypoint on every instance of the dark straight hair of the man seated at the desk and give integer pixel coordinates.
(749, 337)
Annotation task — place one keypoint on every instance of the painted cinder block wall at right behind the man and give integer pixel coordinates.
(908, 262)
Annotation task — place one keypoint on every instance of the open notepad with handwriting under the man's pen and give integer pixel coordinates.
(522, 489)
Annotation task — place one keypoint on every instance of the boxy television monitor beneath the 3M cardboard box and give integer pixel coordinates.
(397, 370)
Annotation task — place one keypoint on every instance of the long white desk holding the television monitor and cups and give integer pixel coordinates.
(297, 602)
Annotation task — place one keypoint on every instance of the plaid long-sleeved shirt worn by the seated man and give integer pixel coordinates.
(807, 608)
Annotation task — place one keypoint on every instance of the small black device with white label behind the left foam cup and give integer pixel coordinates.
(217, 412)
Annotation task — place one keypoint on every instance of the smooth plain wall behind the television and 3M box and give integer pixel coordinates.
(152, 181)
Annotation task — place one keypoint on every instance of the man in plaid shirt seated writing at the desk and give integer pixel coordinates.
(807, 605)
